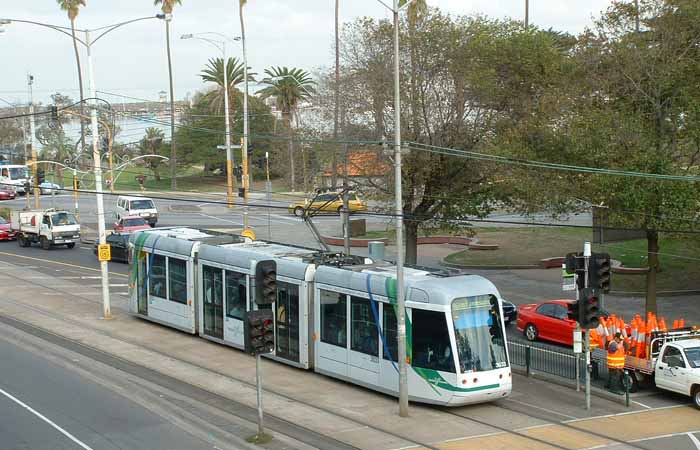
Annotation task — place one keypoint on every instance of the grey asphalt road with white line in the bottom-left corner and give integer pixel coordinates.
(44, 405)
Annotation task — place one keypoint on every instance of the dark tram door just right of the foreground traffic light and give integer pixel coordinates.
(287, 321)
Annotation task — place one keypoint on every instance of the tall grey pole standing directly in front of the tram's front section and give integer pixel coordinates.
(401, 316)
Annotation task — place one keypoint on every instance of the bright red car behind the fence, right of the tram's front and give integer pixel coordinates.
(548, 320)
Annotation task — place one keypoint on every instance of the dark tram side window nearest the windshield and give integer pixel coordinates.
(431, 341)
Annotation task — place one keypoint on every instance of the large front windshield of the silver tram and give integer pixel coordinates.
(479, 333)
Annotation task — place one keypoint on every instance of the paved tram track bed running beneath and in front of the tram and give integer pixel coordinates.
(307, 410)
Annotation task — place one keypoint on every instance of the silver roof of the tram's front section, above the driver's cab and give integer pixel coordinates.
(421, 286)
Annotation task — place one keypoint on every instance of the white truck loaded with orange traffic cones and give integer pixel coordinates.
(668, 357)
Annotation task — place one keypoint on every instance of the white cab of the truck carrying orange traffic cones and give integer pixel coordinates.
(678, 368)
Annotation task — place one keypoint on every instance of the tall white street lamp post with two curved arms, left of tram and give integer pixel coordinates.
(88, 42)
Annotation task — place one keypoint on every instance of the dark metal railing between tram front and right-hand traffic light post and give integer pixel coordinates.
(538, 359)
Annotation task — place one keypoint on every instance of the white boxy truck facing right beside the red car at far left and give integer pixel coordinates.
(47, 227)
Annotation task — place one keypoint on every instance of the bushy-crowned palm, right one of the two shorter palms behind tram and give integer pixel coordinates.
(289, 87)
